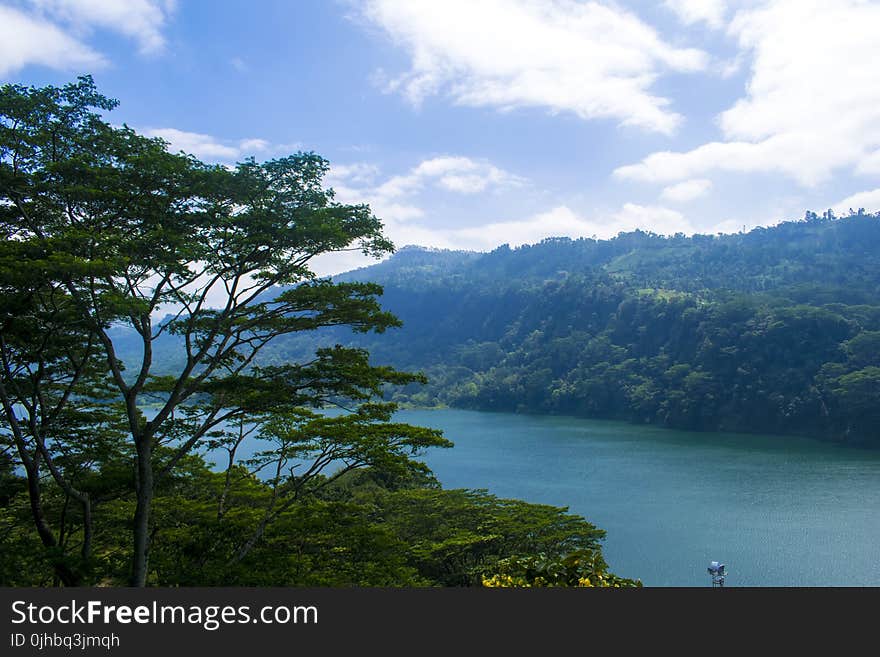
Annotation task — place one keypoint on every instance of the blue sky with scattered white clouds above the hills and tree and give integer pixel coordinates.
(474, 123)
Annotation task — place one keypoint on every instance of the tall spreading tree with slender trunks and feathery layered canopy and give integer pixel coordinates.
(104, 228)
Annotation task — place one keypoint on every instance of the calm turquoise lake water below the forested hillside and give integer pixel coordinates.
(778, 511)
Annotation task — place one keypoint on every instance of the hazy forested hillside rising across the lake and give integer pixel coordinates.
(776, 330)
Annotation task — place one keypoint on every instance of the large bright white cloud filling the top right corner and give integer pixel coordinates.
(812, 105)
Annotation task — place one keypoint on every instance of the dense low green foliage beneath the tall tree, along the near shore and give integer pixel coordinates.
(367, 528)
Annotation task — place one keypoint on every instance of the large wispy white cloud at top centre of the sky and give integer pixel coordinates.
(592, 59)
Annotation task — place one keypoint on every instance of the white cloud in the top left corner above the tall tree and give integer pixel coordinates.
(26, 40)
